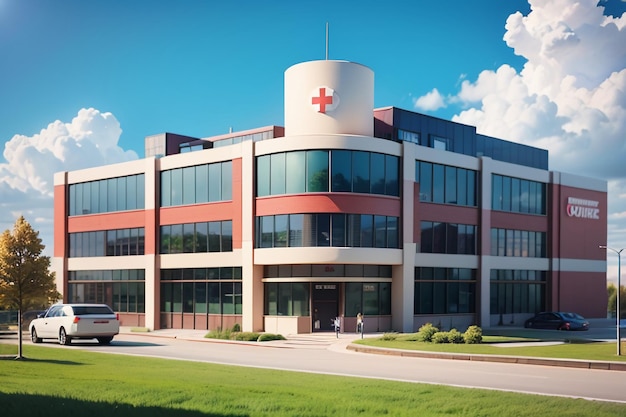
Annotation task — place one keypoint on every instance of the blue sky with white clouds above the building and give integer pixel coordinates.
(83, 82)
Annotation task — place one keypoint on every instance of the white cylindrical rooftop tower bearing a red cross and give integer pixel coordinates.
(329, 97)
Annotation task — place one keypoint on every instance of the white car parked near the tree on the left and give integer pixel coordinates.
(65, 322)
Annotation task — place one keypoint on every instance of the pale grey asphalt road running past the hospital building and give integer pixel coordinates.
(323, 353)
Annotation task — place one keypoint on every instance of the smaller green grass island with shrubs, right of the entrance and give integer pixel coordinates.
(574, 348)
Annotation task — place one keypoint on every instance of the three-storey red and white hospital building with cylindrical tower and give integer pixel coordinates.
(300, 237)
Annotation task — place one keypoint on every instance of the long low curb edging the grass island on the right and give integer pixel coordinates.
(523, 360)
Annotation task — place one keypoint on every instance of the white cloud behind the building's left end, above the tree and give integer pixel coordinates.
(26, 178)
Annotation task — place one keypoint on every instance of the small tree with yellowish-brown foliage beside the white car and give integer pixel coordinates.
(25, 279)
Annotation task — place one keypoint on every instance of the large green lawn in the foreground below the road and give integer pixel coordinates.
(70, 382)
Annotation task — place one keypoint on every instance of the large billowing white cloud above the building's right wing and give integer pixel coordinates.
(569, 98)
